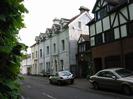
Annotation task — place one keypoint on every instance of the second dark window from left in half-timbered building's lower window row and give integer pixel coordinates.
(109, 36)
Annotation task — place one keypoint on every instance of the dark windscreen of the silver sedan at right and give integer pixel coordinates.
(124, 72)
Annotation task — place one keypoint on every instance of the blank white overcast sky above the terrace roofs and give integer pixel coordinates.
(42, 12)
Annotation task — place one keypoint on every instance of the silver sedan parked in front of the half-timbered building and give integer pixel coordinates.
(115, 78)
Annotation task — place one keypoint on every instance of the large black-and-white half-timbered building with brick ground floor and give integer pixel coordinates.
(111, 34)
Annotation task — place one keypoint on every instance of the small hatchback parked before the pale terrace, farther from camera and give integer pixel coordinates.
(62, 77)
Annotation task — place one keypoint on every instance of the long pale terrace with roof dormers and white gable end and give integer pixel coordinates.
(56, 49)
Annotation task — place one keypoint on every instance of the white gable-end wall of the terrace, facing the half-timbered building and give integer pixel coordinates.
(74, 33)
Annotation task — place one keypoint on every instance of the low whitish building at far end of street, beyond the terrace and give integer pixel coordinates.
(26, 65)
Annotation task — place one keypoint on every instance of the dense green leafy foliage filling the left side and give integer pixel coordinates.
(11, 21)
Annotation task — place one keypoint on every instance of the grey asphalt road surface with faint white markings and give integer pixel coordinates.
(39, 88)
